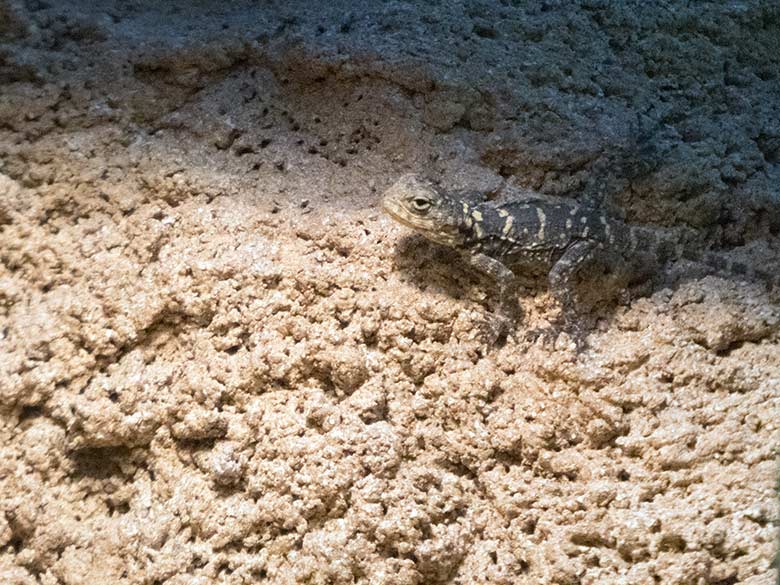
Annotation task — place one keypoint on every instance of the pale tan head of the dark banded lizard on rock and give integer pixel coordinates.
(419, 205)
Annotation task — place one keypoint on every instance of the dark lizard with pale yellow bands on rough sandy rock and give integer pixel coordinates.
(561, 240)
